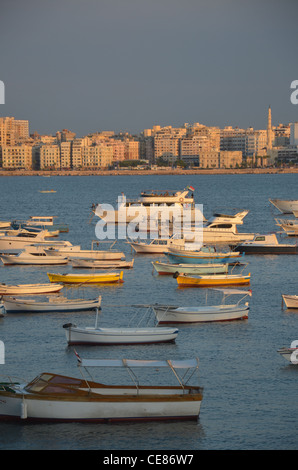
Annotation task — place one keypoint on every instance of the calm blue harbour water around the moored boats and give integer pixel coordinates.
(250, 391)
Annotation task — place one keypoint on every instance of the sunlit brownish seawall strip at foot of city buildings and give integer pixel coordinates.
(232, 171)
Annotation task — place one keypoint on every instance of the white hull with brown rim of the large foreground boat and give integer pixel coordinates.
(105, 409)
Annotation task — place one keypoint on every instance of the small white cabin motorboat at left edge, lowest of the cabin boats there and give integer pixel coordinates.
(33, 255)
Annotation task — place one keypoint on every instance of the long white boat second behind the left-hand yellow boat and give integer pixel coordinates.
(73, 252)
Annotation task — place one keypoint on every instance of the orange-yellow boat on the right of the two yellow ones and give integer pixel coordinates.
(212, 280)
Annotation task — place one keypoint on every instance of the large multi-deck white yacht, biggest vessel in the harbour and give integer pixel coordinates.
(170, 203)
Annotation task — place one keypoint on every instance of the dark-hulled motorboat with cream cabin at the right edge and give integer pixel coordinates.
(266, 245)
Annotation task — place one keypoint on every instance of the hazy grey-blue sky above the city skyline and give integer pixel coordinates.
(93, 65)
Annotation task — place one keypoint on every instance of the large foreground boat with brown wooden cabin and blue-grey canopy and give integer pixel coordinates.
(52, 397)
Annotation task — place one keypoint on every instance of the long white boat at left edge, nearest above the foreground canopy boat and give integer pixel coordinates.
(51, 304)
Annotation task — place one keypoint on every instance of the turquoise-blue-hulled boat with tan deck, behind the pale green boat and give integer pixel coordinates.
(202, 256)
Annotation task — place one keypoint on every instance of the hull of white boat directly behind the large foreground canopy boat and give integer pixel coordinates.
(106, 336)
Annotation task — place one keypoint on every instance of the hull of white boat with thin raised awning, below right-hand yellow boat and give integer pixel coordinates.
(206, 314)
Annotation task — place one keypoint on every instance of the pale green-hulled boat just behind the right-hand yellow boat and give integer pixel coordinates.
(170, 268)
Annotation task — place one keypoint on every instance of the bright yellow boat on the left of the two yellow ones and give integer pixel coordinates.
(94, 278)
